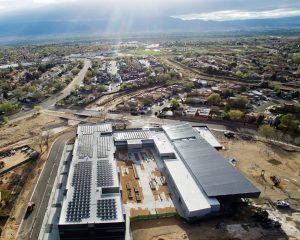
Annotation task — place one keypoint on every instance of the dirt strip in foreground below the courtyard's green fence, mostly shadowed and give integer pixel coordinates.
(175, 229)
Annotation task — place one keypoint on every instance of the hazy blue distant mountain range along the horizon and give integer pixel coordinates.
(25, 29)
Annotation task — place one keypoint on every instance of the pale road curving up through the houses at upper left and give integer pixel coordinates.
(48, 103)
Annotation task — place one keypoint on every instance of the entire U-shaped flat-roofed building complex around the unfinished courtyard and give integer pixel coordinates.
(198, 177)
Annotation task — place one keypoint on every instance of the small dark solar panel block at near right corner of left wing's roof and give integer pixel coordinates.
(106, 209)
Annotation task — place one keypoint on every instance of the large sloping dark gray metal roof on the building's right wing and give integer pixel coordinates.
(212, 172)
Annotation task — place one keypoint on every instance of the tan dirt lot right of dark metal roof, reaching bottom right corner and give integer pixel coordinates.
(253, 157)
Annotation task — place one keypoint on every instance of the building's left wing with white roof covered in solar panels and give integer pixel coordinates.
(92, 207)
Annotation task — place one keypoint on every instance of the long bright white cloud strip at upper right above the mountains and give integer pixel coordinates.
(229, 15)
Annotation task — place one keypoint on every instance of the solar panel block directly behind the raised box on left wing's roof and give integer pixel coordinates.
(104, 173)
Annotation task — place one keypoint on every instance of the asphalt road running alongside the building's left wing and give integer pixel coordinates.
(30, 226)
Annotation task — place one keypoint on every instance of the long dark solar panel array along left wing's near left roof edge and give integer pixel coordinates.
(79, 207)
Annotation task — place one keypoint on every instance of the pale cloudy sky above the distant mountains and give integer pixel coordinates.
(220, 10)
